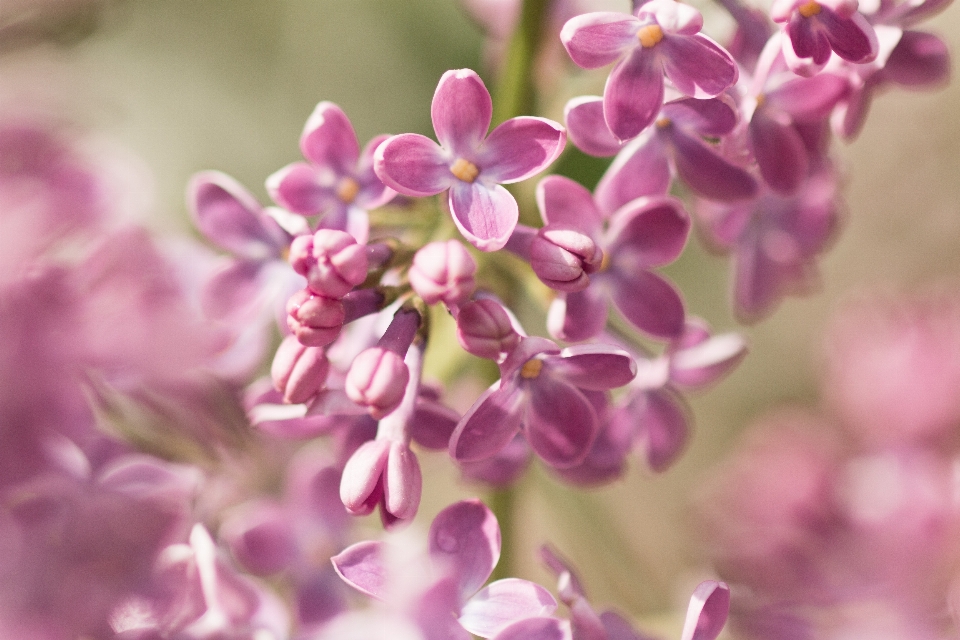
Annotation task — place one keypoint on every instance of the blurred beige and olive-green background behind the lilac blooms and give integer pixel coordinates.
(187, 85)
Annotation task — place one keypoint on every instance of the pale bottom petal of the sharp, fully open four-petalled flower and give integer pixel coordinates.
(486, 216)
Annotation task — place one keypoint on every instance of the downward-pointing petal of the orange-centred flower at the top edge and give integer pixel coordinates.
(633, 94)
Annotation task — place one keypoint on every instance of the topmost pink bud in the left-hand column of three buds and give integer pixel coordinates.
(332, 262)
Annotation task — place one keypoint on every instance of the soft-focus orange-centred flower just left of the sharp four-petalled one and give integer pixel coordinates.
(338, 181)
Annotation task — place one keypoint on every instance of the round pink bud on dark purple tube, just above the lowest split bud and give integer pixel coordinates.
(377, 380)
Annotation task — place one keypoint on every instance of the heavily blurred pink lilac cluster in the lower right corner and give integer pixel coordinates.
(844, 522)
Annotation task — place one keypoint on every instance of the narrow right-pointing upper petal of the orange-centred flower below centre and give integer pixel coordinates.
(594, 366)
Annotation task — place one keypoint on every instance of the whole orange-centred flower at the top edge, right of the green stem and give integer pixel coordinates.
(661, 39)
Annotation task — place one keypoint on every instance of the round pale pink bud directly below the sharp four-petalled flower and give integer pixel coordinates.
(443, 272)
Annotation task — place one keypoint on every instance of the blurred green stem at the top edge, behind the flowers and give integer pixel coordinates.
(515, 94)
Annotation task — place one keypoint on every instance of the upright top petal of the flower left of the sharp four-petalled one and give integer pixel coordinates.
(329, 140)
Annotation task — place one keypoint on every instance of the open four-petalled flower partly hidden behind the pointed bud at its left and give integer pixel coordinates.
(641, 234)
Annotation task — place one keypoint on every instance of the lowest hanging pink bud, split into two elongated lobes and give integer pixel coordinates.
(384, 472)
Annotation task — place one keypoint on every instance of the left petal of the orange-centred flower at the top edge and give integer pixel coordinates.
(596, 39)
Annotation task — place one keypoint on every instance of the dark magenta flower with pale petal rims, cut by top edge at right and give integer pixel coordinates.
(815, 29)
